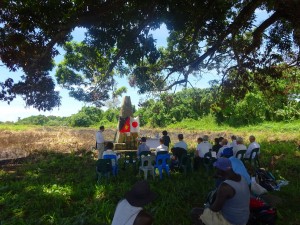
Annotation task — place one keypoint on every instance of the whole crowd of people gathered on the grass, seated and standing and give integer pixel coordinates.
(233, 182)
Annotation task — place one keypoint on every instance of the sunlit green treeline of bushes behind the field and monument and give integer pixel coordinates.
(253, 108)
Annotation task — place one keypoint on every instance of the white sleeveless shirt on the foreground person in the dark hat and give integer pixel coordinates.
(125, 213)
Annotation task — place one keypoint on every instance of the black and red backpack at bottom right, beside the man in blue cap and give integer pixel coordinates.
(261, 213)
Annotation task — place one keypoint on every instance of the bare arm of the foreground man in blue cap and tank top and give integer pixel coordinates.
(224, 192)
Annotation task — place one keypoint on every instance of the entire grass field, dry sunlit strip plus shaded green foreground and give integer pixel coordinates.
(56, 186)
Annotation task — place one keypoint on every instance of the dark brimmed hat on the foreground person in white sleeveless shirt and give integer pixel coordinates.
(140, 194)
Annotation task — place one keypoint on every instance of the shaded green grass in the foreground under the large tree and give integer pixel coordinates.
(54, 188)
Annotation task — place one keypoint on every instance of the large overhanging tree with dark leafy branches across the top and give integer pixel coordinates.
(203, 35)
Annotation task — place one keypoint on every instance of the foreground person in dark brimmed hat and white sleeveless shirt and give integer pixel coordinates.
(130, 211)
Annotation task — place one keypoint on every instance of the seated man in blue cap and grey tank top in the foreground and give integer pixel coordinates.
(231, 206)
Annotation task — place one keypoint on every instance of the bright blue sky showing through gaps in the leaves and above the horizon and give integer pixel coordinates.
(69, 106)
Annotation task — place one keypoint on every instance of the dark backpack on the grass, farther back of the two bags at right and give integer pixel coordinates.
(266, 179)
